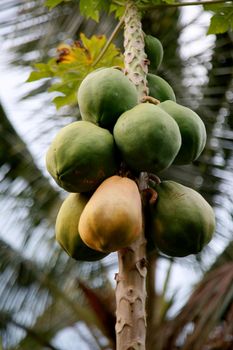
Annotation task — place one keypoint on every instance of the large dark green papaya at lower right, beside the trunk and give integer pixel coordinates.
(181, 221)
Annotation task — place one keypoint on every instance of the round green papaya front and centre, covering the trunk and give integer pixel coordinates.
(147, 139)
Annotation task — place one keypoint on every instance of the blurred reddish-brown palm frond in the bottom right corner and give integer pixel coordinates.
(209, 307)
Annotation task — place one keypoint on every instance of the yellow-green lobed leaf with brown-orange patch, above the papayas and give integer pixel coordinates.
(72, 64)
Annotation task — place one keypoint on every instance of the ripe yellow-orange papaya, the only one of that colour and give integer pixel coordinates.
(112, 218)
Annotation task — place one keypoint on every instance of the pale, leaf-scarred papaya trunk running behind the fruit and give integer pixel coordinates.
(131, 278)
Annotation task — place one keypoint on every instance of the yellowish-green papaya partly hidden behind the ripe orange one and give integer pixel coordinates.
(66, 229)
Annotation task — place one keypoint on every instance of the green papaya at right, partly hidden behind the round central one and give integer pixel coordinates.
(192, 129)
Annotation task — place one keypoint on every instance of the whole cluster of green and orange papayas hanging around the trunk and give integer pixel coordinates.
(103, 212)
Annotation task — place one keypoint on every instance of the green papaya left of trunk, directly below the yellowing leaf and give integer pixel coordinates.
(104, 95)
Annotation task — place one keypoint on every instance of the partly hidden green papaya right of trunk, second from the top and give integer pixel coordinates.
(159, 88)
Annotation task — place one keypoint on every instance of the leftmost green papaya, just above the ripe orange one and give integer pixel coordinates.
(81, 156)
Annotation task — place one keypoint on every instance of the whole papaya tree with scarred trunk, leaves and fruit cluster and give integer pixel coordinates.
(121, 155)
